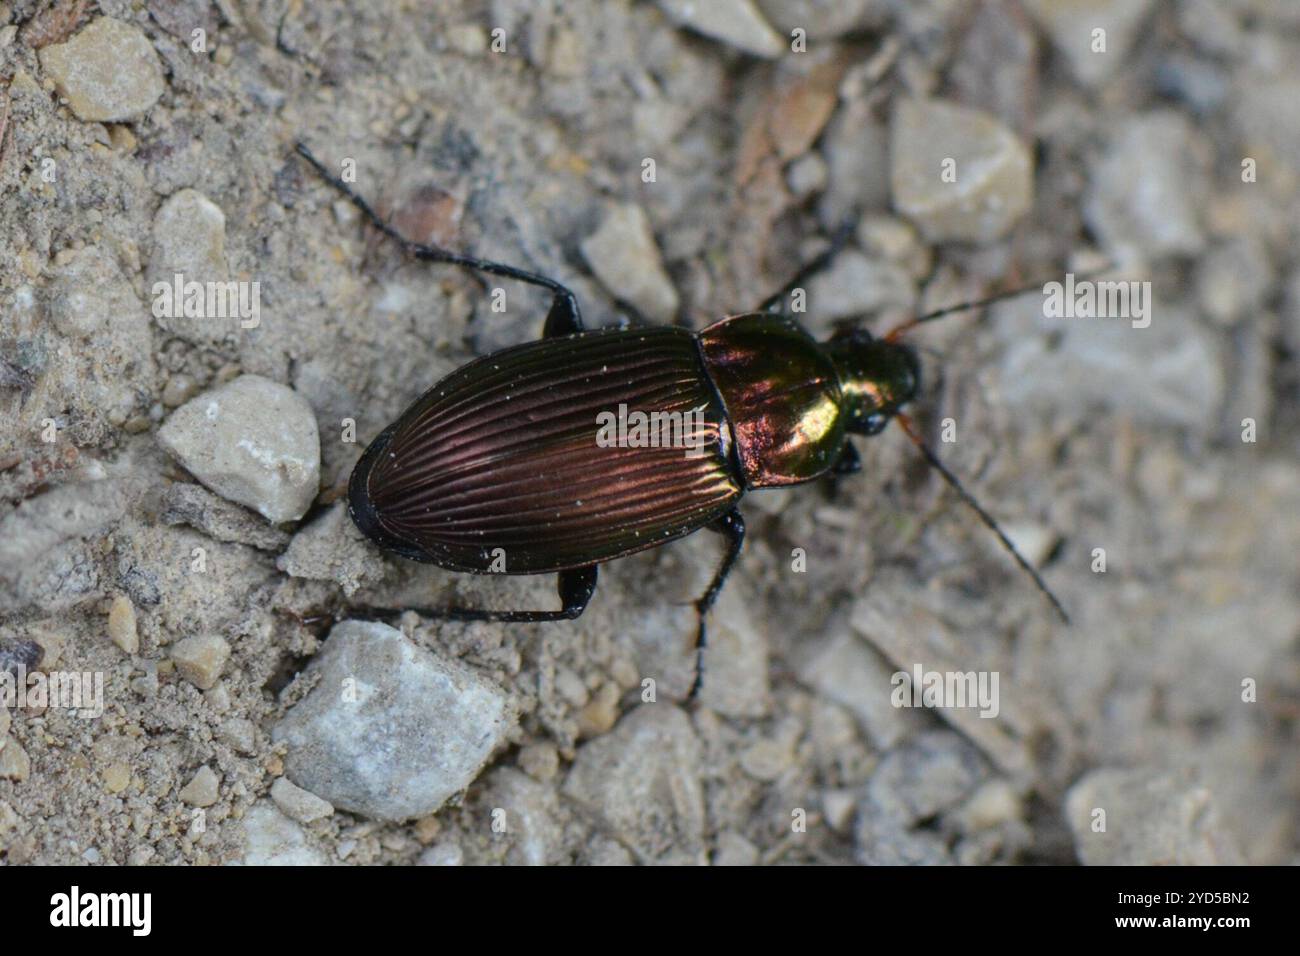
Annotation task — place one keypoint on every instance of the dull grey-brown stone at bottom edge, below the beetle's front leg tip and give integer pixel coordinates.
(642, 782)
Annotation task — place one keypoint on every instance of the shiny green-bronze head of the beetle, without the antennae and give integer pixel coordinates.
(877, 378)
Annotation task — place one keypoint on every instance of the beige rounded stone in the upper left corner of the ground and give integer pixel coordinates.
(109, 72)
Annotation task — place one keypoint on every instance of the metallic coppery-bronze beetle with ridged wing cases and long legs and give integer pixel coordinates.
(502, 460)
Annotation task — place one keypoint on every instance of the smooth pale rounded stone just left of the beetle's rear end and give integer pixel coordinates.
(253, 442)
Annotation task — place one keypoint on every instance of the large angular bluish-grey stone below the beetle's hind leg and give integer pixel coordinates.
(391, 730)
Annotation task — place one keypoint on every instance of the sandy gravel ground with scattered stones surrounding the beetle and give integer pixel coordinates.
(170, 486)
